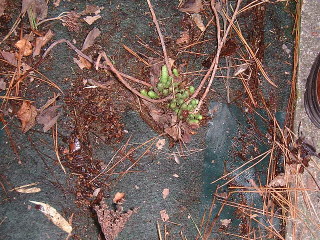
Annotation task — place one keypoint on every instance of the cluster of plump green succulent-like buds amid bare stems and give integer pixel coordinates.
(178, 104)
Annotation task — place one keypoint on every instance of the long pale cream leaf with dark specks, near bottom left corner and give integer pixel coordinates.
(53, 215)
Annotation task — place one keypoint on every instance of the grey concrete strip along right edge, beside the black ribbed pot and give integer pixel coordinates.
(306, 224)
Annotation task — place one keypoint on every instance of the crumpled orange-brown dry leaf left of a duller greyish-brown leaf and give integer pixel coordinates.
(27, 115)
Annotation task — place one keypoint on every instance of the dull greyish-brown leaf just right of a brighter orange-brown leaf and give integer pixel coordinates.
(48, 117)
